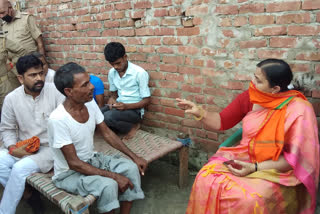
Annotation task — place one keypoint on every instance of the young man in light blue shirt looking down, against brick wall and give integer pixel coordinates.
(130, 93)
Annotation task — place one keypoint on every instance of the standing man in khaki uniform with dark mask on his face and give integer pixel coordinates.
(22, 29)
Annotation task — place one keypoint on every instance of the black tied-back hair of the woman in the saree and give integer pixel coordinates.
(278, 73)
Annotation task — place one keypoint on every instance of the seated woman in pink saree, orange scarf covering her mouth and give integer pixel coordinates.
(275, 169)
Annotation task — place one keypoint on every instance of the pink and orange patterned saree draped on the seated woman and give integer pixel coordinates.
(217, 191)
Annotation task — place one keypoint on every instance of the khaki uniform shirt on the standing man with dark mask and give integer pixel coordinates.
(24, 31)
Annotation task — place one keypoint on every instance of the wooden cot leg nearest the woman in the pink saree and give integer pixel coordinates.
(183, 168)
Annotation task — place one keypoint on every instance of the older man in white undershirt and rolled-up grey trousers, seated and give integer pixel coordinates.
(77, 168)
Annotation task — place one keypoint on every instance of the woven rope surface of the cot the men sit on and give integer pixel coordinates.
(144, 144)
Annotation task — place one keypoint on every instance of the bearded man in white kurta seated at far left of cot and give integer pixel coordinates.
(24, 114)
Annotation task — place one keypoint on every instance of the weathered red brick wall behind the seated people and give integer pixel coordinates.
(200, 50)
